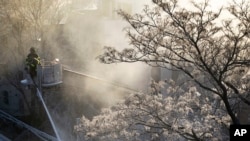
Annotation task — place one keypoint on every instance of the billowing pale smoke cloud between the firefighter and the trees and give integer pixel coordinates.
(77, 43)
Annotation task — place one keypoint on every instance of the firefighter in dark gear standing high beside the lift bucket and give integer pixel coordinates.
(32, 61)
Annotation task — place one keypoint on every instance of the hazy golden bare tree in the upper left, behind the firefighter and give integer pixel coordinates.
(22, 23)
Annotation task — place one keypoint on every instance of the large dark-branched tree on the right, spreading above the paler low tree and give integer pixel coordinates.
(192, 42)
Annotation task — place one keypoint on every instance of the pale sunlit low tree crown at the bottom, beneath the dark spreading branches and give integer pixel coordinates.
(184, 114)
